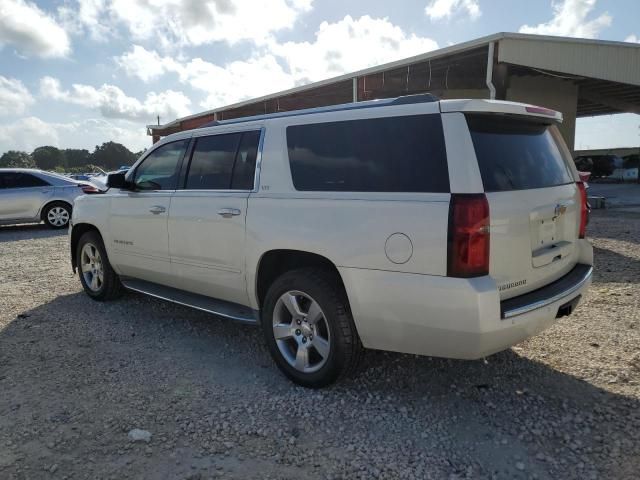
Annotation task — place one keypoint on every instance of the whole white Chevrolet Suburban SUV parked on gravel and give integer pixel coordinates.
(451, 228)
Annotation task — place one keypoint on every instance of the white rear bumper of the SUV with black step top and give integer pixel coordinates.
(452, 317)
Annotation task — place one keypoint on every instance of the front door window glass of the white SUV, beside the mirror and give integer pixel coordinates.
(159, 171)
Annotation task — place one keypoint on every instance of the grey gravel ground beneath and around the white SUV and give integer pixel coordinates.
(77, 376)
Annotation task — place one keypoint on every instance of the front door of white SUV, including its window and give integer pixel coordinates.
(138, 243)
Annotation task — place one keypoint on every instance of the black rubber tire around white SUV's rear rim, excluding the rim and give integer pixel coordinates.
(297, 280)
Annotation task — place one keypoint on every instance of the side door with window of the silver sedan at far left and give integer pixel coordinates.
(22, 195)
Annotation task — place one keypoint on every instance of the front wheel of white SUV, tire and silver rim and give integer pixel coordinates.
(98, 278)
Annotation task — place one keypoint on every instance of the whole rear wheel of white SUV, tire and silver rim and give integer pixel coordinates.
(325, 331)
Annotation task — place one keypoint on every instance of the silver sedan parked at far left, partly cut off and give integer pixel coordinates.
(29, 195)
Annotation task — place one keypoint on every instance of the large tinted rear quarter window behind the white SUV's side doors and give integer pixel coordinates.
(395, 154)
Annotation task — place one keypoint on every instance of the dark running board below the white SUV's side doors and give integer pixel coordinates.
(230, 310)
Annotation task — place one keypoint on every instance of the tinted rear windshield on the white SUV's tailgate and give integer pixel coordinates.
(517, 154)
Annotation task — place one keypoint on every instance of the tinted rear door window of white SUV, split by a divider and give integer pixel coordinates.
(223, 162)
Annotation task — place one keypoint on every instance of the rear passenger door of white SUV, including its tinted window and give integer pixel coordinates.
(207, 217)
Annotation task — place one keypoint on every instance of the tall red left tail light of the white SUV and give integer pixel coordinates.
(468, 242)
